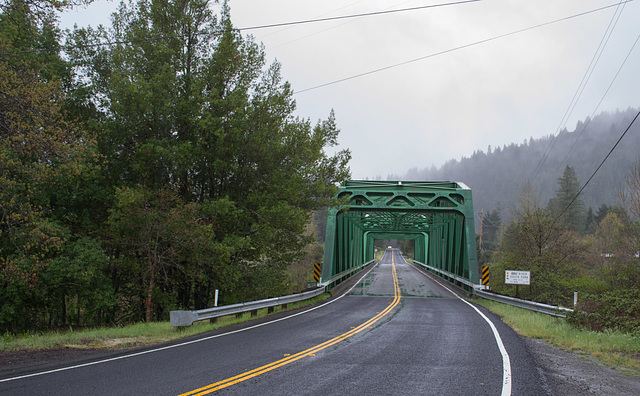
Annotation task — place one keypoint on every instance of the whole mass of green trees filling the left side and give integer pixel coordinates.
(145, 164)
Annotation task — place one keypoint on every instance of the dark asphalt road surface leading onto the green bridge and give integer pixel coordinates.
(396, 332)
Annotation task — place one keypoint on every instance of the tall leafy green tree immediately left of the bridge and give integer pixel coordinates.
(187, 105)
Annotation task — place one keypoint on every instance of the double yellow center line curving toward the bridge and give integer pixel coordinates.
(308, 352)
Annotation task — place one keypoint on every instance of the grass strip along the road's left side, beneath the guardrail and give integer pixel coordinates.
(129, 336)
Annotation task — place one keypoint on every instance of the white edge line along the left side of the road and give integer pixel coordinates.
(177, 345)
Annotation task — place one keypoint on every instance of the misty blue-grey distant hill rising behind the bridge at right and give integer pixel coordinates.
(498, 176)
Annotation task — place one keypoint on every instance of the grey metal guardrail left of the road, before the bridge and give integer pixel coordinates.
(187, 318)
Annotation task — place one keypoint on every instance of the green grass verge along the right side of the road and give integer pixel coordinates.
(615, 349)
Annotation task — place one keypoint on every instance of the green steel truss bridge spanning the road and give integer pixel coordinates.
(438, 216)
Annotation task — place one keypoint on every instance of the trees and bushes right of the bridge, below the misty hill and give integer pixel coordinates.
(568, 249)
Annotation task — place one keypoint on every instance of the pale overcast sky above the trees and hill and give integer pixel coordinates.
(445, 106)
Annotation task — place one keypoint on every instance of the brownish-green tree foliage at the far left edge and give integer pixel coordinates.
(39, 151)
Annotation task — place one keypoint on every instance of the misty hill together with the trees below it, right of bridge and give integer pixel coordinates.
(534, 219)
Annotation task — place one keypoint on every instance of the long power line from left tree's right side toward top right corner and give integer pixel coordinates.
(459, 48)
